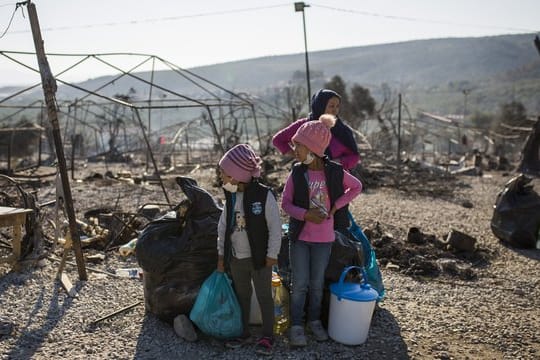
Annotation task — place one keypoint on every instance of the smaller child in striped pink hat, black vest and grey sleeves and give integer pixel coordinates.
(249, 239)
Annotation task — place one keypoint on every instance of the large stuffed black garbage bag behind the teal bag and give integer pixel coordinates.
(178, 251)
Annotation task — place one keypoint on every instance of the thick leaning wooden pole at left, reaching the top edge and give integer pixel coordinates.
(49, 89)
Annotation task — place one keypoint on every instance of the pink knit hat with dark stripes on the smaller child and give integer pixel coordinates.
(241, 163)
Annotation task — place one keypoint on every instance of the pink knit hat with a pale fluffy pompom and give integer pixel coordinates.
(316, 135)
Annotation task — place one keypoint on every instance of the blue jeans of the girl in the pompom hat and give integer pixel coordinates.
(308, 264)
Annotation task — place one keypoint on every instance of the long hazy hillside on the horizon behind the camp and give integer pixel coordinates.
(431, 74)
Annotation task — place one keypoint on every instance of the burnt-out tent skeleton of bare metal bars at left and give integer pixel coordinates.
(163, 120)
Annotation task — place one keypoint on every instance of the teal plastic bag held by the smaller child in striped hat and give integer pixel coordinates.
(216, 311)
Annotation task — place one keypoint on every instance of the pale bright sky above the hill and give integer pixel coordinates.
(203, 32)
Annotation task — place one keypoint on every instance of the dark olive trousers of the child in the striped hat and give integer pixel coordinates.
(243, 273)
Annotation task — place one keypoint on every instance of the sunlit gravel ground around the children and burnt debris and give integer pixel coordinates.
(494, 316)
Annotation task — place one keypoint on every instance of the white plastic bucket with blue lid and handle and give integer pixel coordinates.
(351, 309)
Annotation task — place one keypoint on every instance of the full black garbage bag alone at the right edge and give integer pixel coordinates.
(516, 216)
